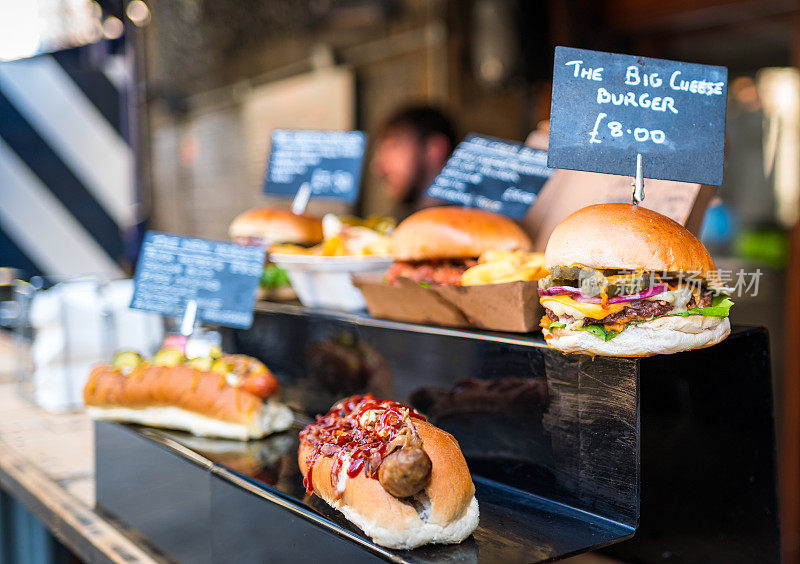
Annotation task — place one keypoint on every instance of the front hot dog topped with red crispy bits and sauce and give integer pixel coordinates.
(403, 481)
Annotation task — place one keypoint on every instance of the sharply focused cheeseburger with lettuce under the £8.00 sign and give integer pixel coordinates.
(627, 281)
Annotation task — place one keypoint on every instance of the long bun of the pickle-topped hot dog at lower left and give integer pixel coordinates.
(182, 398)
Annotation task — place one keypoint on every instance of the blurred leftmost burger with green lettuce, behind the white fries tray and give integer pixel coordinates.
(270, 226)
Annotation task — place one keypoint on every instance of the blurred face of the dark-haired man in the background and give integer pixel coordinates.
(397, 161)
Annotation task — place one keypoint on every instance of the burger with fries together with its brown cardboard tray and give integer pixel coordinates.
(458, 267)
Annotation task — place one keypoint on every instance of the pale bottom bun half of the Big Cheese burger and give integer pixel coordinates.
(660, 336)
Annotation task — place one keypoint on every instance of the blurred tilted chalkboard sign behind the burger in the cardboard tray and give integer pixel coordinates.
(492, 174)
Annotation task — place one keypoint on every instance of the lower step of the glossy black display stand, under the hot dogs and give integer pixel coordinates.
(205, 511)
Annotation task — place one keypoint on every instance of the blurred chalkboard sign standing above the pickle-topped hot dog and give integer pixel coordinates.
(220, 277)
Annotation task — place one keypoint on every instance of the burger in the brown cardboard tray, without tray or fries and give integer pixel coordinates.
(435, 246)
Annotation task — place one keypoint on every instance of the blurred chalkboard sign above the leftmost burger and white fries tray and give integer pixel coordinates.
(329, 161)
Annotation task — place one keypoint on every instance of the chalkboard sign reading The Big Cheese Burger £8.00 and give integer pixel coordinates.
(607, 108)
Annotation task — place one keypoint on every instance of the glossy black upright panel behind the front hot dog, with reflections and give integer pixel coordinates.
(554, 425)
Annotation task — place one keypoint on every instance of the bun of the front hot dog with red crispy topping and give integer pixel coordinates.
(445, 512)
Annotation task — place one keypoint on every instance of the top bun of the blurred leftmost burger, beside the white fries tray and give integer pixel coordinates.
(277, 225)
